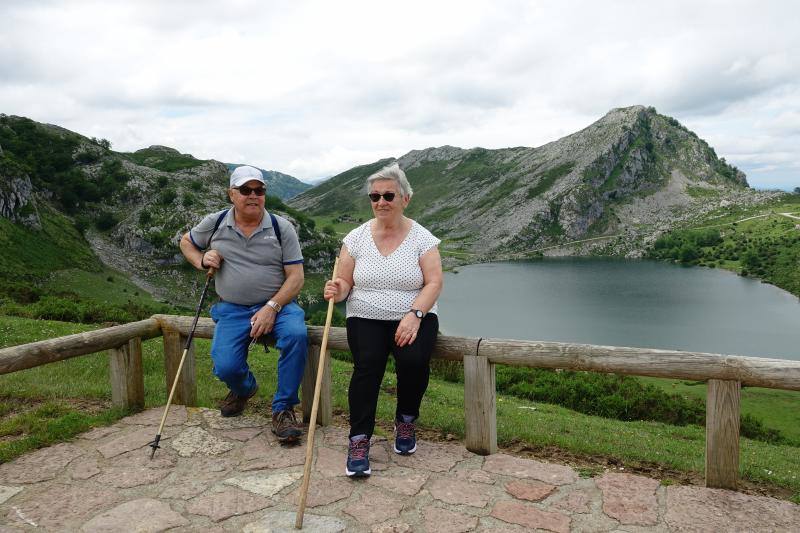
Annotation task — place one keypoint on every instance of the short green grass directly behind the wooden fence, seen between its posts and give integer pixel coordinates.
(632, 443)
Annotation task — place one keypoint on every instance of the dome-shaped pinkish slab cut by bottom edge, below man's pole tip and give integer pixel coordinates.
(144, 515)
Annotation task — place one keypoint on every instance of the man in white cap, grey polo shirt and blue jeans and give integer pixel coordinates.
(260, 272)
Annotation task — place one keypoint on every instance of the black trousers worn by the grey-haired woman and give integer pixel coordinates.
(370, 342)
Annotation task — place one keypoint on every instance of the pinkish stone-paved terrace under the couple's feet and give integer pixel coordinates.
(216, 474)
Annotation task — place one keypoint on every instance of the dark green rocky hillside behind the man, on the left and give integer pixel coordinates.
(131, 207)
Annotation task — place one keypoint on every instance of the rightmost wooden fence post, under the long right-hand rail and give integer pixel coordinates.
(722, 434)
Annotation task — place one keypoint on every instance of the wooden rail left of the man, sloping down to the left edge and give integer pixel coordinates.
(49, 351)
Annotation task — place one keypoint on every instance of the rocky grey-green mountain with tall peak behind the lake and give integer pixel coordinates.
(620, 182)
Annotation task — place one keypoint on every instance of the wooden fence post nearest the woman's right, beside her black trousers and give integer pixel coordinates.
(480, 405)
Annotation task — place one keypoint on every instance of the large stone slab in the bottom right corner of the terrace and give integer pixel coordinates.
(703, 509)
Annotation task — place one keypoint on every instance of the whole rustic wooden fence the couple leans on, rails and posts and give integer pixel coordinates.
(725, 375)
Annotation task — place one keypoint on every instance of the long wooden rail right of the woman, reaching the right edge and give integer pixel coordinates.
(751, 371)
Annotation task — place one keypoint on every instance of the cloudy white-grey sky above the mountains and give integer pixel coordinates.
(314, 88)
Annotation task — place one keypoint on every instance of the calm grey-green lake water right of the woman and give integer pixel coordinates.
(622, 303)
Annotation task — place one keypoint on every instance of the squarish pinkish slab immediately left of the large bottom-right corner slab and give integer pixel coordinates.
(629, 499)
